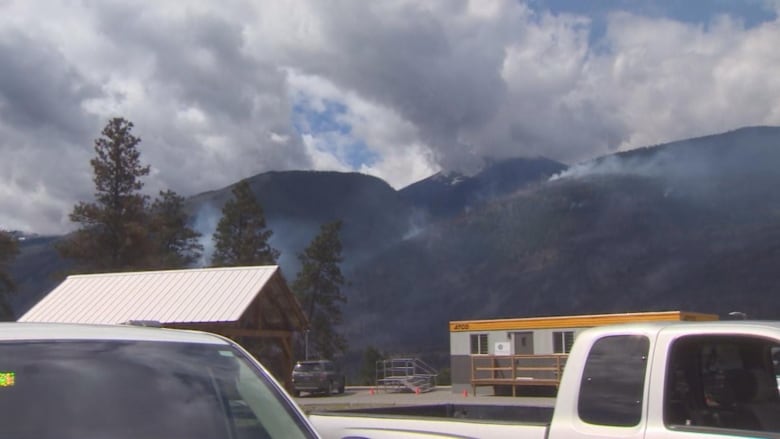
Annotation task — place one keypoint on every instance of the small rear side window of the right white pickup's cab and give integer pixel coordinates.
(613, 381)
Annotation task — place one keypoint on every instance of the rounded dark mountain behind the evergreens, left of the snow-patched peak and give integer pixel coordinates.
(296, 203)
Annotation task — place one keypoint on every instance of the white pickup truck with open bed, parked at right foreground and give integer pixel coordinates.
(655, 380)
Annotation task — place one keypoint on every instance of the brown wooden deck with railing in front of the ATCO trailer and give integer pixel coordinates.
(516, 370)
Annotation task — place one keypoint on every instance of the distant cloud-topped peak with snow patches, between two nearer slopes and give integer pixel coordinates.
(447, 194)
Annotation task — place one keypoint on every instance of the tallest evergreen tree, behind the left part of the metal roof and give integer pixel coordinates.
(112, 233)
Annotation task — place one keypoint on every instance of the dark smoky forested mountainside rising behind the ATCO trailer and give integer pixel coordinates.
(692, 225)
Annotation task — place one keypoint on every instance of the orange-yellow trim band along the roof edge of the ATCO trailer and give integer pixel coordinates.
(581, 321)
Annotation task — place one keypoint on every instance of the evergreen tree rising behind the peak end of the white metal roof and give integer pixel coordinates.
(241, 237)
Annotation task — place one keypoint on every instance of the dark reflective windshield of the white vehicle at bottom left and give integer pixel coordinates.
(138, 390)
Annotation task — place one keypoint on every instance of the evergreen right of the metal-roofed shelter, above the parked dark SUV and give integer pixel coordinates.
(318, 287)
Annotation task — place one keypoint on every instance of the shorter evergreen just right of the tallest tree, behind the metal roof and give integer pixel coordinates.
(175, 244)
